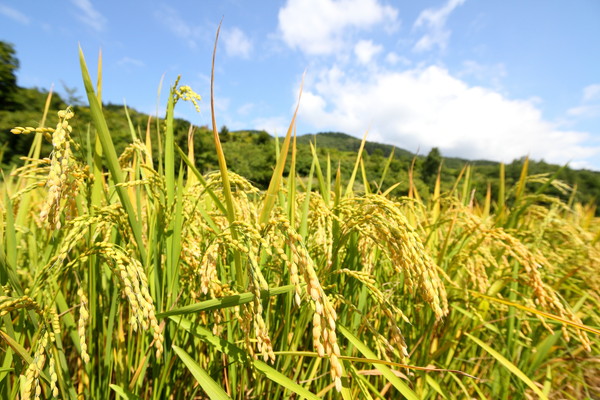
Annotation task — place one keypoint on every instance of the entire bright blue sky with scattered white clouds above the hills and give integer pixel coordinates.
(478, 79)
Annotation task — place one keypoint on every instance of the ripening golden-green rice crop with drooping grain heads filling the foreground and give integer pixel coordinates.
(136, 277)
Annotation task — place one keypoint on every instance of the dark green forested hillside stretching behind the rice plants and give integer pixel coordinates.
(251, 153)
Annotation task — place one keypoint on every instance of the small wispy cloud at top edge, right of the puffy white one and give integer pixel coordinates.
(433, 20)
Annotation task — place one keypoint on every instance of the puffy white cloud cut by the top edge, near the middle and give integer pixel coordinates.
(320, 27)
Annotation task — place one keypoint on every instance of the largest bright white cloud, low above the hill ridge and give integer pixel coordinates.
(424, 108)
